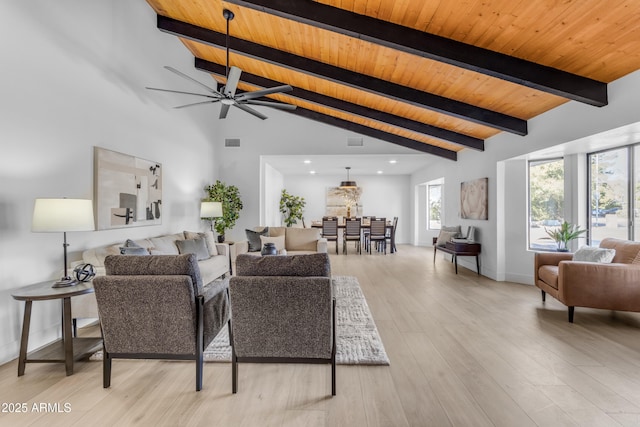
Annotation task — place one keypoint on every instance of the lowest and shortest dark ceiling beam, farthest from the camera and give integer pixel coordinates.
(375, 133)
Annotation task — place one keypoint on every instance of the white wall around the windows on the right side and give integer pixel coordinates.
(504, 232)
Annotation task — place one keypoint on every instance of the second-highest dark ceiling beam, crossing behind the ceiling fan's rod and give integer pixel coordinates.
(342, 76)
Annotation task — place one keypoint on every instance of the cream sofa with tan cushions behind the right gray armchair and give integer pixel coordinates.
(296, 241)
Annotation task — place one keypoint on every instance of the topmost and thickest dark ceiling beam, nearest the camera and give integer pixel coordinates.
(495, 64)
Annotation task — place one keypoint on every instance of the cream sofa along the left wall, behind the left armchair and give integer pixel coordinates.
(216, 265)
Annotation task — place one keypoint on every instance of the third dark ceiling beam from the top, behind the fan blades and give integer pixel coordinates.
(393, 120)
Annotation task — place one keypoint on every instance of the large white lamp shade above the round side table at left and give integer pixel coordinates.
(62, 215)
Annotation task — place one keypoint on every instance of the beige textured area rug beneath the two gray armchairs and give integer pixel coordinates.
(358, 341)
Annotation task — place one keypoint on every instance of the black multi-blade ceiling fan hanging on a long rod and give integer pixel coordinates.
(226, 96)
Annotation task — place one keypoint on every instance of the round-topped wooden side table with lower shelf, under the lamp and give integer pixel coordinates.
(65, 350)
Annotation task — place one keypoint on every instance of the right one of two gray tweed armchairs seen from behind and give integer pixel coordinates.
(283, 311)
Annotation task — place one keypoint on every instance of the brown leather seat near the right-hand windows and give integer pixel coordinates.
(614, 286)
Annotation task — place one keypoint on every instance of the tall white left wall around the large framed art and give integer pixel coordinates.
(73, 77)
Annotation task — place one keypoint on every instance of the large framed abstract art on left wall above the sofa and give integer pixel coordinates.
(128, 190)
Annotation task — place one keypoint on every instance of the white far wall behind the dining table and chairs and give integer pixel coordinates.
(385, 196)
